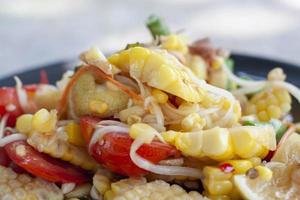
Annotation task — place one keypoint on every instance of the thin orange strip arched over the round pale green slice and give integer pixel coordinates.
(98, 73)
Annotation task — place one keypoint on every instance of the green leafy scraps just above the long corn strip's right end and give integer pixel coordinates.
(278, 126)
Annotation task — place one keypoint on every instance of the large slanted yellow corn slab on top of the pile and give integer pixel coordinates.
(160, 70)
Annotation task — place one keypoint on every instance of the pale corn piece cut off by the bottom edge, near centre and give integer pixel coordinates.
(140, 189)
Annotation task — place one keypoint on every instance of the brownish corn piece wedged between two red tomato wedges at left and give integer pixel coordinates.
(58, 147)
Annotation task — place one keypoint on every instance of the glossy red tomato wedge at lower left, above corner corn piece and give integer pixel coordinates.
(44, 166)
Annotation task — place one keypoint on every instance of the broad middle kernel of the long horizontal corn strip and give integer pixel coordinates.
(216, 143)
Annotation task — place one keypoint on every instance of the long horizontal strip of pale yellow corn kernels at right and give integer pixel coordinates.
(222, 144)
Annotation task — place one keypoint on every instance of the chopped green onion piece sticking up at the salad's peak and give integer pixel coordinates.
(157, 26)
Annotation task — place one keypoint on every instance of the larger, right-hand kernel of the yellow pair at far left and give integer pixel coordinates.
(44, 121)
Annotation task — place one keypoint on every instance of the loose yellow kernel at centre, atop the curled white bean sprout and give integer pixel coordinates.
(142, 130)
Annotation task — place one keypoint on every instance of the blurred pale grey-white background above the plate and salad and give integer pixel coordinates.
(34, 33)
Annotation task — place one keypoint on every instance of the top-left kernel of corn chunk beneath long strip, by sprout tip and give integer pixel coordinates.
(215, 173)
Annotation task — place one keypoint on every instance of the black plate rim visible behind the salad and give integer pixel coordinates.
(251, 65)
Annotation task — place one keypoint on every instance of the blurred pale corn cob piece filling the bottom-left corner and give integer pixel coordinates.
(24, 187)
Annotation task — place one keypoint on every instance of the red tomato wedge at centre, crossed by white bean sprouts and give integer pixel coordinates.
(113, 150)
